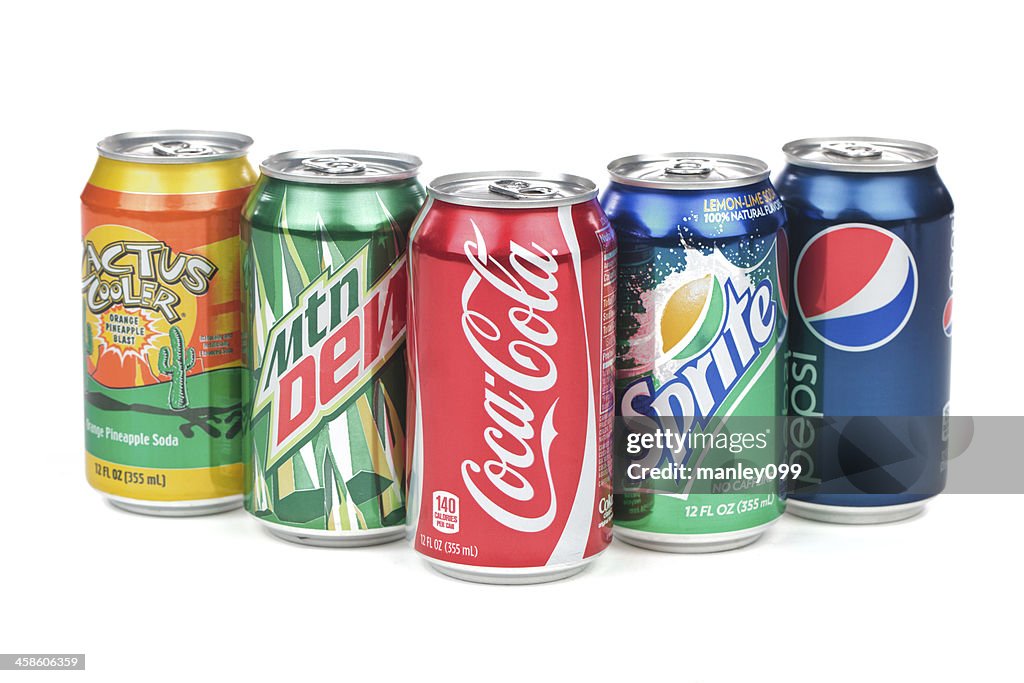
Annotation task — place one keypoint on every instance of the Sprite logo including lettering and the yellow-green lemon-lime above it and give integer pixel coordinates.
(717, 327)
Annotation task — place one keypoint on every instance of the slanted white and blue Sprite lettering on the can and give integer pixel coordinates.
(701, 387)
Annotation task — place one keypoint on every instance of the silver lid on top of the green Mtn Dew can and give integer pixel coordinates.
(340, 167)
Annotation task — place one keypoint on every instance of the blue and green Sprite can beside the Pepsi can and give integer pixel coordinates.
(703, 291)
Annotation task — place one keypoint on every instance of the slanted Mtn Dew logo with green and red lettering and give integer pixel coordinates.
(340, 332)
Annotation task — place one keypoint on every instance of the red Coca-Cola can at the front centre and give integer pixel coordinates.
(511, 350)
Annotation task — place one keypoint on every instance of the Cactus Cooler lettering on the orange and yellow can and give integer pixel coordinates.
(140, 275)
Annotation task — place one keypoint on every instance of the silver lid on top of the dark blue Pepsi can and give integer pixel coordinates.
(861, 155)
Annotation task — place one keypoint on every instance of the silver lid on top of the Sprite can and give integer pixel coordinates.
(688, 170)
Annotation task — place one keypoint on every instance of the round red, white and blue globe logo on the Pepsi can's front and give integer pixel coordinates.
(856, 286)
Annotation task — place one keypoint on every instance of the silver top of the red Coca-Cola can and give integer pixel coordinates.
(513, 190)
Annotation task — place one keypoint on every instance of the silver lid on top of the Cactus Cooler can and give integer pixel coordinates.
(175, 147)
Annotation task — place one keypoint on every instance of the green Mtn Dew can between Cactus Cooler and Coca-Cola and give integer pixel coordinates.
(325, 280)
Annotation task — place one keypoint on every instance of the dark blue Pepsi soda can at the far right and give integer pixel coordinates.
(872, 226)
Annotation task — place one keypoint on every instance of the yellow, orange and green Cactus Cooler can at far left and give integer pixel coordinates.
(162, 316)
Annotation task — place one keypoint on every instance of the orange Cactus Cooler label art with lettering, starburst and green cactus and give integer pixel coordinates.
(149, 318)
